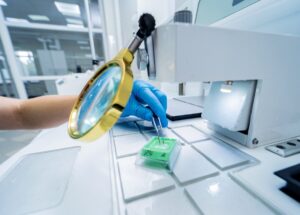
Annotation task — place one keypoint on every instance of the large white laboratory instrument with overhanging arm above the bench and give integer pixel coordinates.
(269, 61)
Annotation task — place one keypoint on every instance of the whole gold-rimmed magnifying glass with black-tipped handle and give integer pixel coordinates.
(103, 98)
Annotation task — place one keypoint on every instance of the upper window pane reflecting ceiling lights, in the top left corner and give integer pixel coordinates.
(61, 12)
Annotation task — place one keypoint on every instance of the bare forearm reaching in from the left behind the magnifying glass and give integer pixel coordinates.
(37, 113)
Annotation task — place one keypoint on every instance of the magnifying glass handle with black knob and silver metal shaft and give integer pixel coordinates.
(146, 26)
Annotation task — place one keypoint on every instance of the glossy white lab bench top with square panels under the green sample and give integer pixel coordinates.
(57, 175)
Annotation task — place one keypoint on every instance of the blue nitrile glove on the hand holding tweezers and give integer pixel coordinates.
(143, 94)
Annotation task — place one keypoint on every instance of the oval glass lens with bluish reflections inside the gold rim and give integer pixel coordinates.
(98, 99)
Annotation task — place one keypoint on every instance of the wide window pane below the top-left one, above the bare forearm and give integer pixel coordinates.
(42, 52)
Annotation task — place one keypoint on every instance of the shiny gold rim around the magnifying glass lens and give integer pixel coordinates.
(113, 112)
